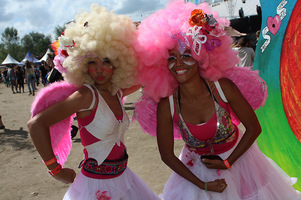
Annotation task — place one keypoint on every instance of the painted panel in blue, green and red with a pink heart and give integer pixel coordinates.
(278, 59)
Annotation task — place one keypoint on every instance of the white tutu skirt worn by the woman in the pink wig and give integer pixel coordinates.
(252, 177)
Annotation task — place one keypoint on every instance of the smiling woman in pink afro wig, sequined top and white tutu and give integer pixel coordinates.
(185, 55)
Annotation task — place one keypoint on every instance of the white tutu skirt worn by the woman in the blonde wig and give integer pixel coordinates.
(127, 186)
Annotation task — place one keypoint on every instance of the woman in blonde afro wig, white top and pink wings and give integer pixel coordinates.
(99, 63)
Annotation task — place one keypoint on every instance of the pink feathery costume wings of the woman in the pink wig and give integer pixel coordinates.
(249, 83)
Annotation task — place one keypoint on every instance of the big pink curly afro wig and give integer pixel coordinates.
(156, 37)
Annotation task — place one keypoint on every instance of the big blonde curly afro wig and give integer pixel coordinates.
(107, 35)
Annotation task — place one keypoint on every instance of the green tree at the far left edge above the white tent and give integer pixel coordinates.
(11, 43)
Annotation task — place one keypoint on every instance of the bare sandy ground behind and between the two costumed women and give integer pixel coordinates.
(24, 176)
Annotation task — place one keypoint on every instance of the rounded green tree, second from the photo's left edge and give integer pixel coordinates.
(36, 43)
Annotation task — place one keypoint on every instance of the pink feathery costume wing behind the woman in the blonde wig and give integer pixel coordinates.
(59, 132)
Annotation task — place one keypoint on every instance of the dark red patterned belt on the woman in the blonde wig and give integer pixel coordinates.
(107, 169)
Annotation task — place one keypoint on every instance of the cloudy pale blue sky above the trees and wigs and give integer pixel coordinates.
(44, 15)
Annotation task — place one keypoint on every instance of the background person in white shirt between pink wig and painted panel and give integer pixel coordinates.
(245, 53)
